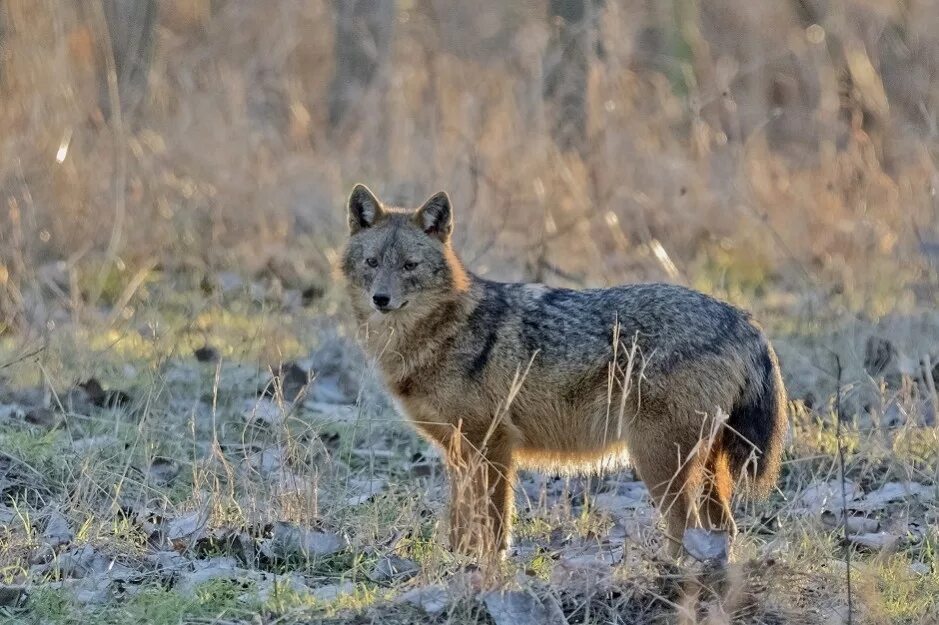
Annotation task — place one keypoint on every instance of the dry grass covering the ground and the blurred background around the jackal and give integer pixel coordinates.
(779, 155)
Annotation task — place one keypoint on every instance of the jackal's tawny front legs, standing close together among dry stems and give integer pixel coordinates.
(481, 493)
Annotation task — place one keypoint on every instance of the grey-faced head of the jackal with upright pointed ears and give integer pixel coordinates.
(399, 259)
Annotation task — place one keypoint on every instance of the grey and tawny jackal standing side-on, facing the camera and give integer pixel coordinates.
(503, 376)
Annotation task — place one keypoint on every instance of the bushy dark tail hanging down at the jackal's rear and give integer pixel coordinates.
(757, 426)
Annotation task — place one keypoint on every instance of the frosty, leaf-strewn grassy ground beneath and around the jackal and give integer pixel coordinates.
(195, 484)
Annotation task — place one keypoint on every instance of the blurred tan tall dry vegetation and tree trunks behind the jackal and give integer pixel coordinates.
(783, 152)
